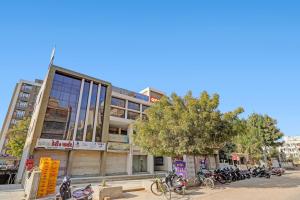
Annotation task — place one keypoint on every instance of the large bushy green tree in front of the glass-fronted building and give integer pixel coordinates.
(177, 126)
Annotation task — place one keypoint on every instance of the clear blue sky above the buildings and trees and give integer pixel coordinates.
(247, 51)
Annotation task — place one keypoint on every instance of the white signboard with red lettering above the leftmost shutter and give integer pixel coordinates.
(54, 144)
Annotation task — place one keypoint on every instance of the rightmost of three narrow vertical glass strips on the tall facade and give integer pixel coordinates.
(100, 114)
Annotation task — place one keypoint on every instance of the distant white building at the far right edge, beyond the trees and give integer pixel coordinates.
(291, 146)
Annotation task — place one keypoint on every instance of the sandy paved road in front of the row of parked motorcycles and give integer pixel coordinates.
(286, 187)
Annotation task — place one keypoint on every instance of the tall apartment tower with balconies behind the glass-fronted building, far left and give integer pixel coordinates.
(20, 107)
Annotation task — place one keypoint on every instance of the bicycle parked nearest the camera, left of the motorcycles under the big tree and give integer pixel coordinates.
(160, 187)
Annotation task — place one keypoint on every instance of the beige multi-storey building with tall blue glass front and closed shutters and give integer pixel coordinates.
(86, 123)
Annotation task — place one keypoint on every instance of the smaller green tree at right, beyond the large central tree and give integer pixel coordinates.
(259, 132)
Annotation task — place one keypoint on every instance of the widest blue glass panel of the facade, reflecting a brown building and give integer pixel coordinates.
(62, 107)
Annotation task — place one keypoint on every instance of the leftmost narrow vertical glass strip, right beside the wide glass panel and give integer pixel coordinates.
(82, 114)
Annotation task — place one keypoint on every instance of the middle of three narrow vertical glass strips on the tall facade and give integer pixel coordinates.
(92, 113)
